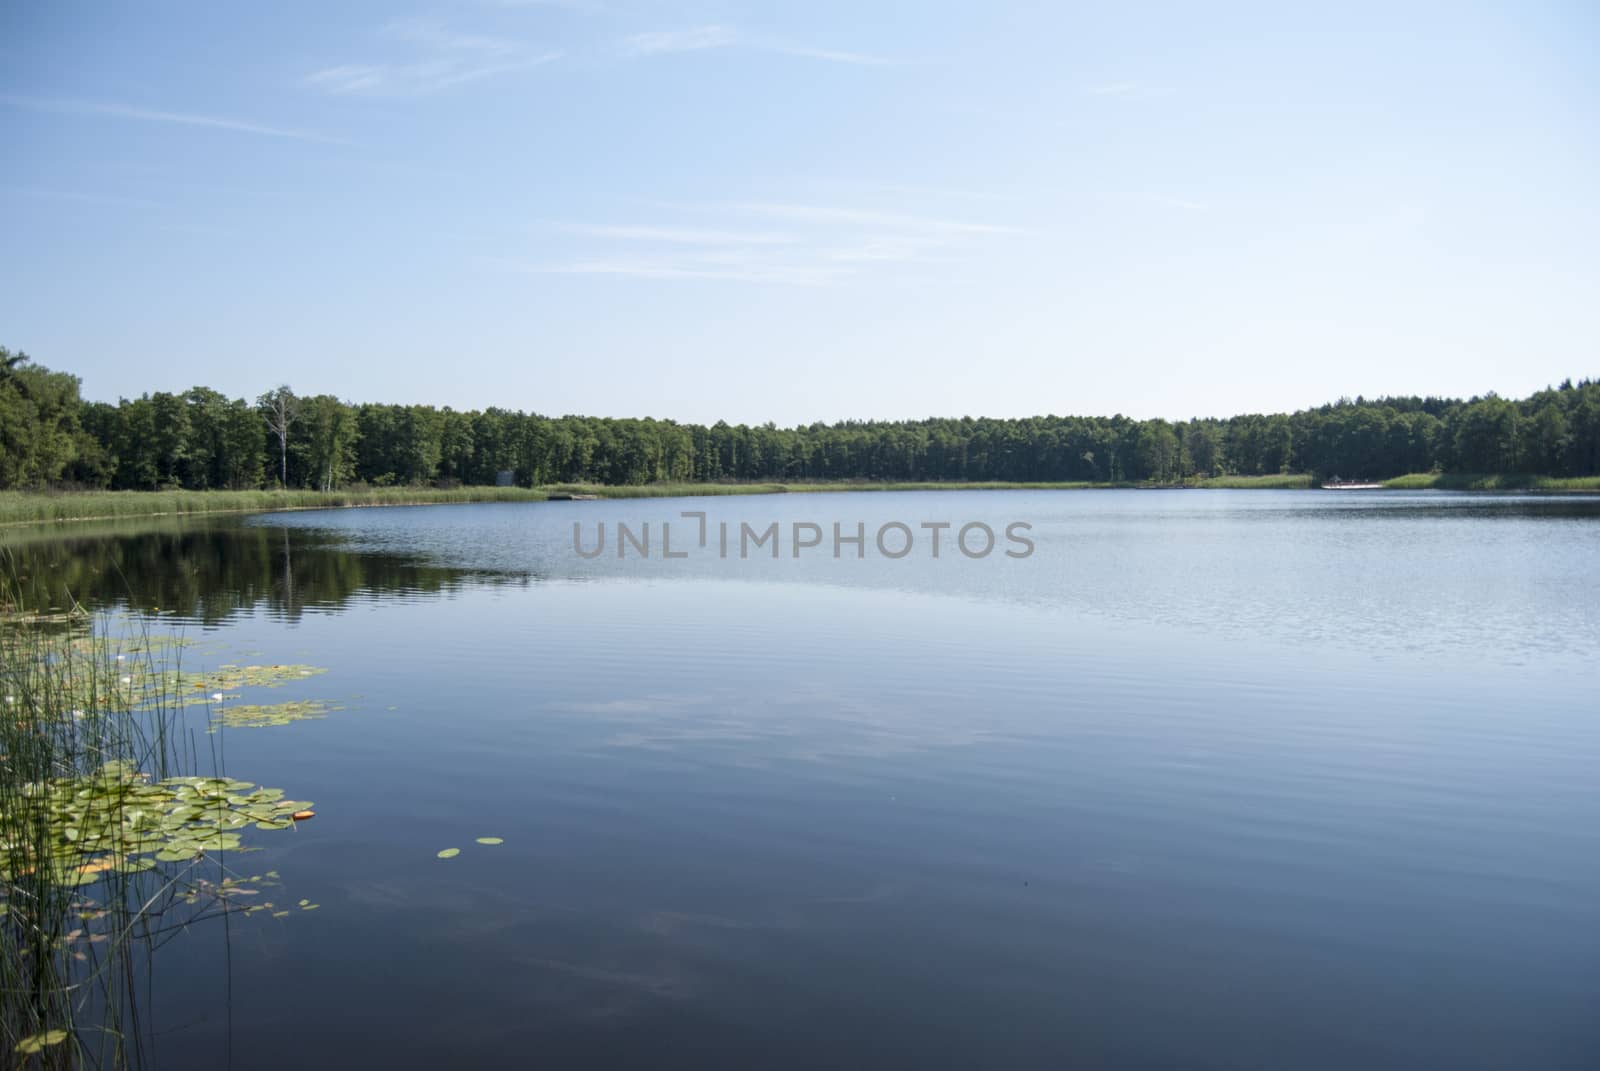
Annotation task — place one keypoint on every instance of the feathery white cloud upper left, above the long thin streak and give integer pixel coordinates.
(441, 58)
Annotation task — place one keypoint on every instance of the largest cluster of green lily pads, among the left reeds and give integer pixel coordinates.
(119, 819)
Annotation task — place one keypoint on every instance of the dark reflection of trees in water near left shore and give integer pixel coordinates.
(210, 572)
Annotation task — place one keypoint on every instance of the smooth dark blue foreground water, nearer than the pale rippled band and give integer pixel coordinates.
(930, 819)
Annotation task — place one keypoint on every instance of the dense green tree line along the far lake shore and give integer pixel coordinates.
(202, 439)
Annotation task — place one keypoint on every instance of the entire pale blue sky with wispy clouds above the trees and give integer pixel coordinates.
(804, 212)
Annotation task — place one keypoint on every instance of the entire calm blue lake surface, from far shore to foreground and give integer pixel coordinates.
(1210, 780)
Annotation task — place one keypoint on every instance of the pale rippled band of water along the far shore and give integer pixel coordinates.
(1362, 577)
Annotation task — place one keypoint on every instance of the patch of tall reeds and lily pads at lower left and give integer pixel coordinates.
(118, 830)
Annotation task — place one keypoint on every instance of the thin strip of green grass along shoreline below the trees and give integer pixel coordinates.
(26, 508)
